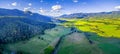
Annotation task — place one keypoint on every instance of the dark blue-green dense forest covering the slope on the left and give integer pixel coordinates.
(15, 29)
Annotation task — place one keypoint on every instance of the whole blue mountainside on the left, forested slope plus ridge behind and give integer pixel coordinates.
(14, 28)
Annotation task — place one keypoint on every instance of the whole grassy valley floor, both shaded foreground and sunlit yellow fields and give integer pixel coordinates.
(103, 33)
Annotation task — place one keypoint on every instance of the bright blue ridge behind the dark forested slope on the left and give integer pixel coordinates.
(27, 14)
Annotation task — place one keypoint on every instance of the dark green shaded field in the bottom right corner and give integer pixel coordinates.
(107, 45)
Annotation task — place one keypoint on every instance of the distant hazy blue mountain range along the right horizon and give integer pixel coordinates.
(84, 15)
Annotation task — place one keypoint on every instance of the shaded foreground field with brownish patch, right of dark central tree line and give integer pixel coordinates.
(78, 43)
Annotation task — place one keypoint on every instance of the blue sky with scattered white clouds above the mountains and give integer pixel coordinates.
(60, 7)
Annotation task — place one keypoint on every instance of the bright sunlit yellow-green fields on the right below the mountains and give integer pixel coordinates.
(103, 27)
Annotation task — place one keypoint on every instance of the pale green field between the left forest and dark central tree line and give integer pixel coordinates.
(41, 44)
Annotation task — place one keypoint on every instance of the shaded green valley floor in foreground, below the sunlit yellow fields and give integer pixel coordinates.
(60, 40)
